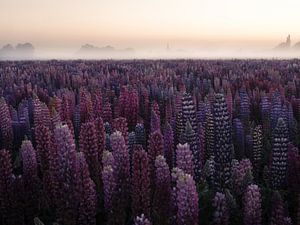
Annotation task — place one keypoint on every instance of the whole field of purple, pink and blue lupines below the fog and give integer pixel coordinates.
(161, 142)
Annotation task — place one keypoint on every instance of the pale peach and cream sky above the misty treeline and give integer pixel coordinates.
(147, 23)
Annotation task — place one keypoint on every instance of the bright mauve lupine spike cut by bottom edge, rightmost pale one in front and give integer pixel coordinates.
(252, 205)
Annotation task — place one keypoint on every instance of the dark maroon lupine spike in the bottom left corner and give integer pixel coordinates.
(8, 200)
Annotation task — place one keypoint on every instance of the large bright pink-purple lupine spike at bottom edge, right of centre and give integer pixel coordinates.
(186, 200)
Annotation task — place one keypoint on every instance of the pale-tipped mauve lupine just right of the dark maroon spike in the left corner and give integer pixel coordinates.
(31, 181)
